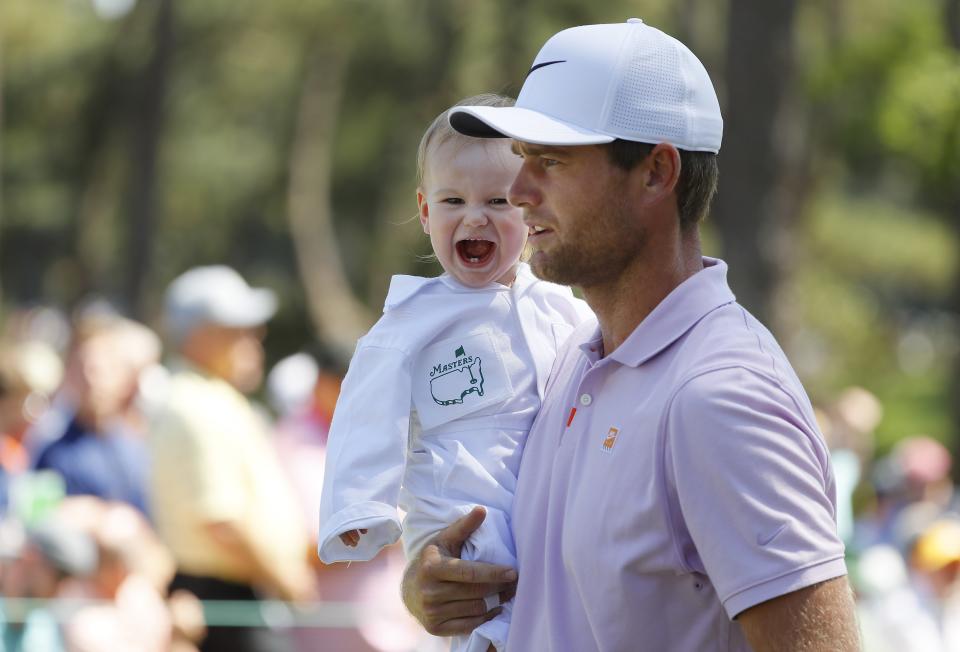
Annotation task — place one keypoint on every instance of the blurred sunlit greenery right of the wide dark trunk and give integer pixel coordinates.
(886, 96)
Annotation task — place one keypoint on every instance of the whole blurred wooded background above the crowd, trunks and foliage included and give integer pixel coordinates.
(141, 138)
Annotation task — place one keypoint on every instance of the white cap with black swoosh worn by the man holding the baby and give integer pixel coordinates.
(596, 83)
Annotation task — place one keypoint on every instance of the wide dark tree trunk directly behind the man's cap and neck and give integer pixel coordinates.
(752, 208)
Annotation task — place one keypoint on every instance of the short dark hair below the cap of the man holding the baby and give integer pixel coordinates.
(696, 186)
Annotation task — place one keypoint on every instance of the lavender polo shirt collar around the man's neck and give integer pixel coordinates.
(687, 304)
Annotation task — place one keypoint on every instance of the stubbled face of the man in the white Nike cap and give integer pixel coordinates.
(575, 202)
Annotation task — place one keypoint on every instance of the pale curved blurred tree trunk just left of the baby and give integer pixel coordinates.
(338, 318)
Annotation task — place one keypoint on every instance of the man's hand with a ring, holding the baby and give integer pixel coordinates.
(445, 593)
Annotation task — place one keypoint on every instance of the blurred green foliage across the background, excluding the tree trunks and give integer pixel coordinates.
(876, 250)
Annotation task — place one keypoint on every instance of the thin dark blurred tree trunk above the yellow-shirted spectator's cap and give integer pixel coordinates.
(147, 129)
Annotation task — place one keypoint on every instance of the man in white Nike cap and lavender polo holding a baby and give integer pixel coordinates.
(675, 493)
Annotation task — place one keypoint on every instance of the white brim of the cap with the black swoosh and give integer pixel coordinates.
(521, 124)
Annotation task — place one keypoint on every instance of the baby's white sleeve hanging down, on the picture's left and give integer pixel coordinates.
(365, 455)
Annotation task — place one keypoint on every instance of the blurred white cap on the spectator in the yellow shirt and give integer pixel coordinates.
(215, 294)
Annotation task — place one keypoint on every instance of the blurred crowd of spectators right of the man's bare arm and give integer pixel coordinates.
(900, 520)
